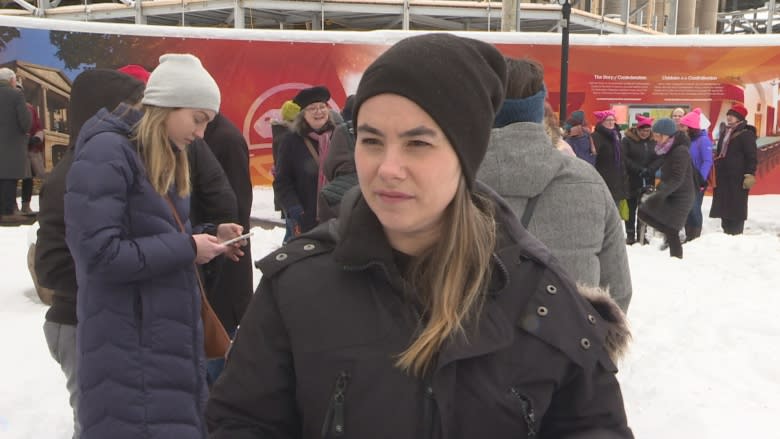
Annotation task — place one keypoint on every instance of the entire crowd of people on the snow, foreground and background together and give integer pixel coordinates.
(468, 252)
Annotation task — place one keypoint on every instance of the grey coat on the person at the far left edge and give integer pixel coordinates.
(15, 120)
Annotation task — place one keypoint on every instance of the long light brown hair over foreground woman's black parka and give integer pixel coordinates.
(451, 277)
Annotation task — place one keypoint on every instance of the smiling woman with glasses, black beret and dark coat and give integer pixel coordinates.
(299, 175)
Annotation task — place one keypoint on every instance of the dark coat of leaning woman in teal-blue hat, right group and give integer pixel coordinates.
(668, 206)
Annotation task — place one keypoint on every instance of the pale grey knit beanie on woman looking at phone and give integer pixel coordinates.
(180, 81)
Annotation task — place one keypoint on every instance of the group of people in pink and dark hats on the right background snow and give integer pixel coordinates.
(655, 183)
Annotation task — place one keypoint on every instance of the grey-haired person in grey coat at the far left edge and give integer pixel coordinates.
(15, 122)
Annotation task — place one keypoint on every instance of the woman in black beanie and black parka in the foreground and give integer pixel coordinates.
(434, 314)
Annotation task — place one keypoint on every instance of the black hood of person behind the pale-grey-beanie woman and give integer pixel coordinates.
(99, 88)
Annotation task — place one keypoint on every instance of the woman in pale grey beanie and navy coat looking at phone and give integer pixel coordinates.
(141, 367)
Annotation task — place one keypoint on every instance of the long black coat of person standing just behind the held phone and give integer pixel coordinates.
(233, 284)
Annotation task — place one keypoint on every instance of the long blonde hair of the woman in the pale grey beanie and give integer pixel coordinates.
(163, 166)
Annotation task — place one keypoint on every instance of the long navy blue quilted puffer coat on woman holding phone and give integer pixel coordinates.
(140, 343)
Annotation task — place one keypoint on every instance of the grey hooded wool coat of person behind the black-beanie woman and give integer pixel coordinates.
(575, 215)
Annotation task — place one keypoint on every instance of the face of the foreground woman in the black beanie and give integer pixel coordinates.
(408, 170)
